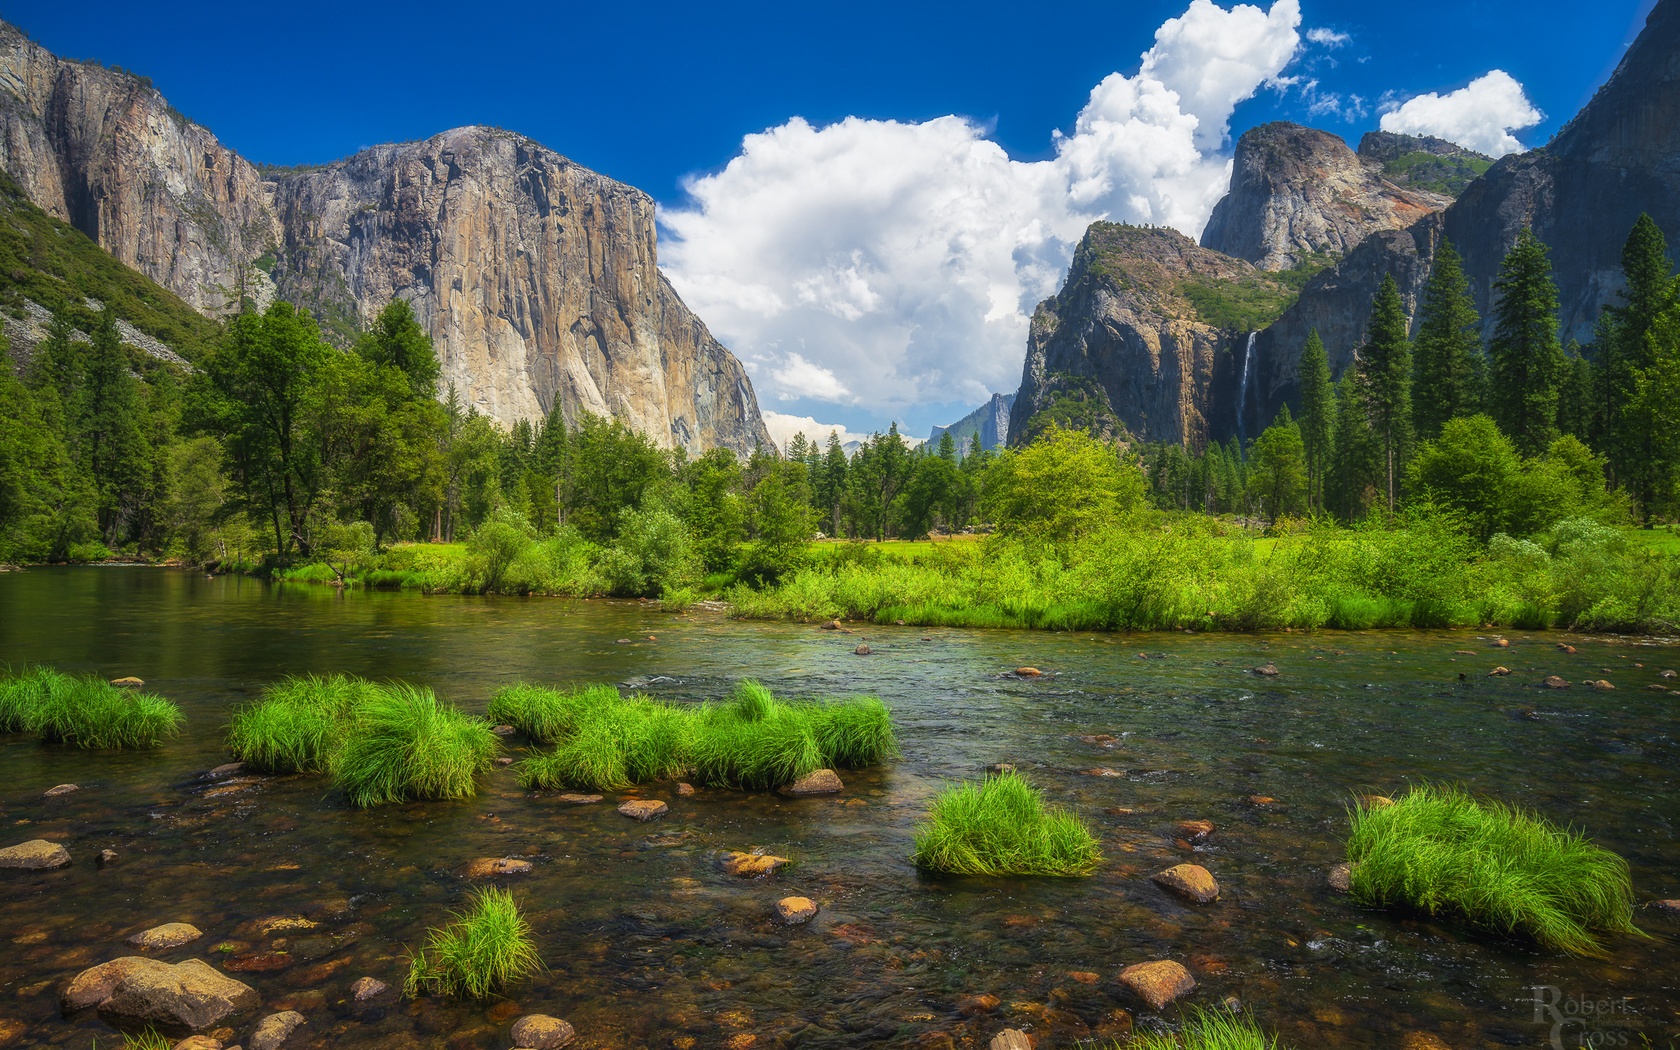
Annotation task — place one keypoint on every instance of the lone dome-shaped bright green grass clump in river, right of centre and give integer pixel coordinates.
(1002, 827)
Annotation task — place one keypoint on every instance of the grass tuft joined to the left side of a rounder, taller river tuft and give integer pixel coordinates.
(300, 723)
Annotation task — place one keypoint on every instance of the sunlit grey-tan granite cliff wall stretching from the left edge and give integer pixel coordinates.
(535, 276)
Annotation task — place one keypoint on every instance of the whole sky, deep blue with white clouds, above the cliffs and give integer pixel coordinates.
(868, 310)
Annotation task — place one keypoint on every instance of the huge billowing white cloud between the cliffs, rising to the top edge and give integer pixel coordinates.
(891, 265)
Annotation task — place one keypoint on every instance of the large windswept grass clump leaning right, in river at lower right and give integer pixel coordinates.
(1489, 864)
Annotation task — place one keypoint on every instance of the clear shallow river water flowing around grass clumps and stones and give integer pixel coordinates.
(649, 945)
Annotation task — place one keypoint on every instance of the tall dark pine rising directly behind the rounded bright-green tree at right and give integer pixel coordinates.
(1449, 350)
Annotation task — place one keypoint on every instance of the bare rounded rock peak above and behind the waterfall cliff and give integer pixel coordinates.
(1299, 192)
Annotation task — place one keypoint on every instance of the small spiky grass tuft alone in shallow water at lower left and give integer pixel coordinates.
(481, 953)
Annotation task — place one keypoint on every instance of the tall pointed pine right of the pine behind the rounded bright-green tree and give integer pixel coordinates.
(1526, 364)
